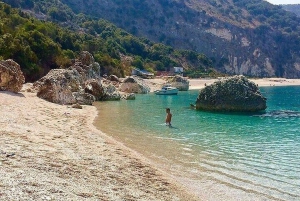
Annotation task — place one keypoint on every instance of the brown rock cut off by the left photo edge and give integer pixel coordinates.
(11, 76)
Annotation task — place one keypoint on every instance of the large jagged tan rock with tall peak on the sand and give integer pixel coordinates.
(67, 86)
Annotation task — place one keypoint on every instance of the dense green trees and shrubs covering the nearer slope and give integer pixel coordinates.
(39, 46)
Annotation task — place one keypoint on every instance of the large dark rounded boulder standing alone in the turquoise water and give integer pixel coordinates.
(231, 94)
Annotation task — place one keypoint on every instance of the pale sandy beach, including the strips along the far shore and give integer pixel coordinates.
(54, 152)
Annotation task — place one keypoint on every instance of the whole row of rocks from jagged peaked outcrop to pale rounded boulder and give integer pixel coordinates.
(81, 83)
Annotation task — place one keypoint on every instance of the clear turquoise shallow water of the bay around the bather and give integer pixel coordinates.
(217, 155)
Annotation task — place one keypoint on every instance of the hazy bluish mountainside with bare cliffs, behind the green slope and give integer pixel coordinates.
(237, 41)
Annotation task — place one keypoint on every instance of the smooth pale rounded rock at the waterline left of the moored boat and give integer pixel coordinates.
(134, 85)
